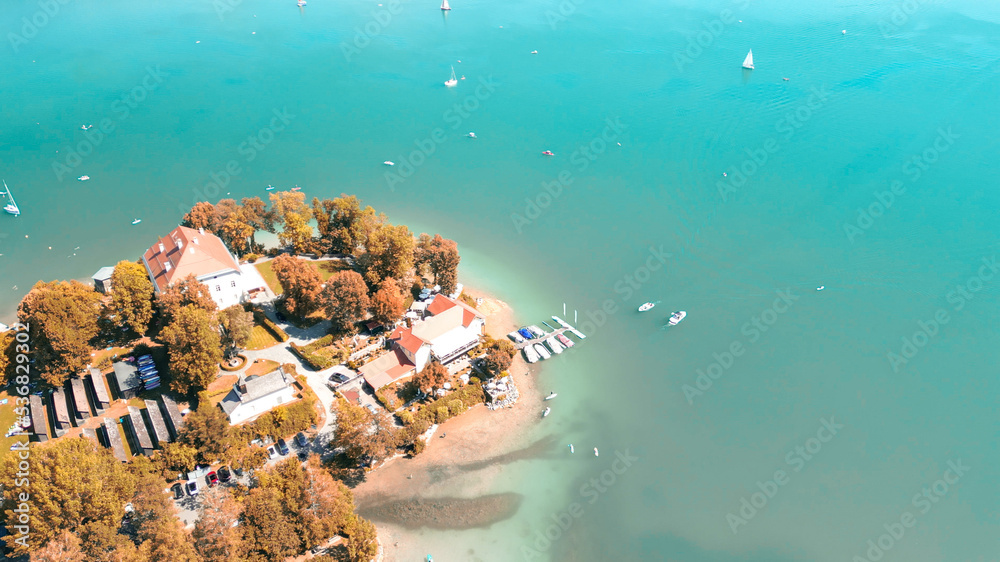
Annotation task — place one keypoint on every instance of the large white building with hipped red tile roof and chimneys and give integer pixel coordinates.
(186, 251)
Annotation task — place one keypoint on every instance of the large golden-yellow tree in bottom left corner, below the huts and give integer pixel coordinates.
(72, 483)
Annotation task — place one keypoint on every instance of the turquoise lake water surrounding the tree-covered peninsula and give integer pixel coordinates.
(868, 172)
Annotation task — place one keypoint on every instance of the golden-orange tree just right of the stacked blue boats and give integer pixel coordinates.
(194, 349)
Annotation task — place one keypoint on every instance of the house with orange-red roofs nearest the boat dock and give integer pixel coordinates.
(450, 332)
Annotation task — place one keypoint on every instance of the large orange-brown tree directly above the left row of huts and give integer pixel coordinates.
(63, 319)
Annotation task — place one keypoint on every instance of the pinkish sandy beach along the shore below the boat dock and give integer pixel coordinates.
(466, 453)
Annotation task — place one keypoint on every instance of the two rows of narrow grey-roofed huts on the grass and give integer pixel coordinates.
(145, 429)
